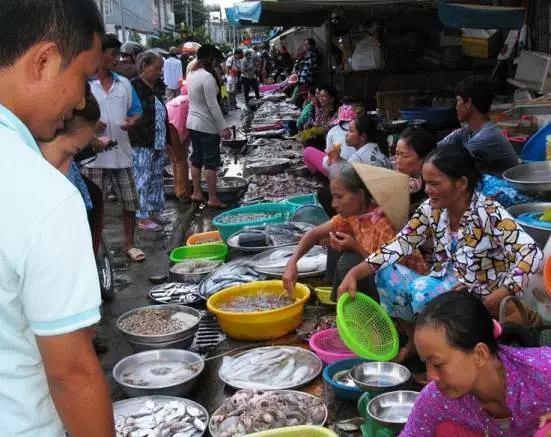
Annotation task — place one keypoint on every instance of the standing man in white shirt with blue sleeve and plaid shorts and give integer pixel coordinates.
(120, 110)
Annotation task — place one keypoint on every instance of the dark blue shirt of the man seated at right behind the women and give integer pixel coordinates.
(491, 150)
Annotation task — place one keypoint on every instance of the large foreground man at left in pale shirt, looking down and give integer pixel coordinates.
(52, 382)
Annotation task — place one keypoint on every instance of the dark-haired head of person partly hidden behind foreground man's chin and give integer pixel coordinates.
(75, 136)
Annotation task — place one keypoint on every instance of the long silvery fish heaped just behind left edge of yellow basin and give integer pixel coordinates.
(233, 273)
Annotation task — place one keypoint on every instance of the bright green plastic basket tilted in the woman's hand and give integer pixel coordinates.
(366, 329)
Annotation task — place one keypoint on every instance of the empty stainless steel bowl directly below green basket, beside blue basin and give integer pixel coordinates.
(376, 377)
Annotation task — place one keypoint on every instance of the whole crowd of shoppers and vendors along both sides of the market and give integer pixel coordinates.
(423, 232)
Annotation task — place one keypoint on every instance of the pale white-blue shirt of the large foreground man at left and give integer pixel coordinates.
(48, 277)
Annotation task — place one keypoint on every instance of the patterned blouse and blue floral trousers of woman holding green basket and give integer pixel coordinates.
(489, 251)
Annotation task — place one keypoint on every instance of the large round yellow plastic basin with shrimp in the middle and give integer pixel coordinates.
(260, 325)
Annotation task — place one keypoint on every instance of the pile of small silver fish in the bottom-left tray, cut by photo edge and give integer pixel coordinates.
(174, 419)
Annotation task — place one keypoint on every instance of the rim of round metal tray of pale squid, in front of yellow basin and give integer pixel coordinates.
(308, 357)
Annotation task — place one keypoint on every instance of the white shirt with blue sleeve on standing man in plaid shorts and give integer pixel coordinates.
(116, 105)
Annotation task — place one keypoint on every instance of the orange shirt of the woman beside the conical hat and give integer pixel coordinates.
(372, 230)
